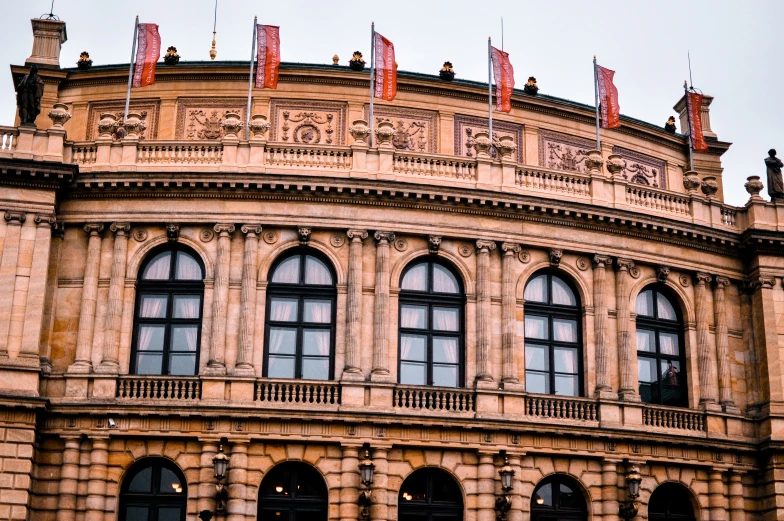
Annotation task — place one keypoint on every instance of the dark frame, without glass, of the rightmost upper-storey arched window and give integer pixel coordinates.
(658, 325)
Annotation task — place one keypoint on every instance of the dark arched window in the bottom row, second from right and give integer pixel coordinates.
(558, 497)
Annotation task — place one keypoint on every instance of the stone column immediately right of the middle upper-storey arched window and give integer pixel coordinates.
(483, 249)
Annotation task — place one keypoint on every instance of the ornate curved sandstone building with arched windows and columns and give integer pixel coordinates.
(428, 323)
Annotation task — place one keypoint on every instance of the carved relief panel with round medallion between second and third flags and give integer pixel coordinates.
(308, 122)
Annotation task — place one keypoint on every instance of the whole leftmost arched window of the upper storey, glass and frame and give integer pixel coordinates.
(167, 329)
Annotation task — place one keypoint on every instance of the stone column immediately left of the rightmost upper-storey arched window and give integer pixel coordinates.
(627, 373)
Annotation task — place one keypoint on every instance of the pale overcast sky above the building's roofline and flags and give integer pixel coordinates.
(736, 49)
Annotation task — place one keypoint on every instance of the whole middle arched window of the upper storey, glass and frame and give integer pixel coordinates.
(431, 325)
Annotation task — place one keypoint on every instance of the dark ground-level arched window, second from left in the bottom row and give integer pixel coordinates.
(293, 491)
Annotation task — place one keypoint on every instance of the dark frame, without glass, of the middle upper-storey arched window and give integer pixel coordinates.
(431, 299)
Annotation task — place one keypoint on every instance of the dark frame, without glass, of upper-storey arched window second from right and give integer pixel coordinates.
(552, 312)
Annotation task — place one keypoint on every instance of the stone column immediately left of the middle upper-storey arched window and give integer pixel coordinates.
(381, 312)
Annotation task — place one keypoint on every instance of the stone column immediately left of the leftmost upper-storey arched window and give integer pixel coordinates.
(111, 355)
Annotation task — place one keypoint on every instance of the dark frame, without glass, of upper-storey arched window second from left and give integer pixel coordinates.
(301, 292)
